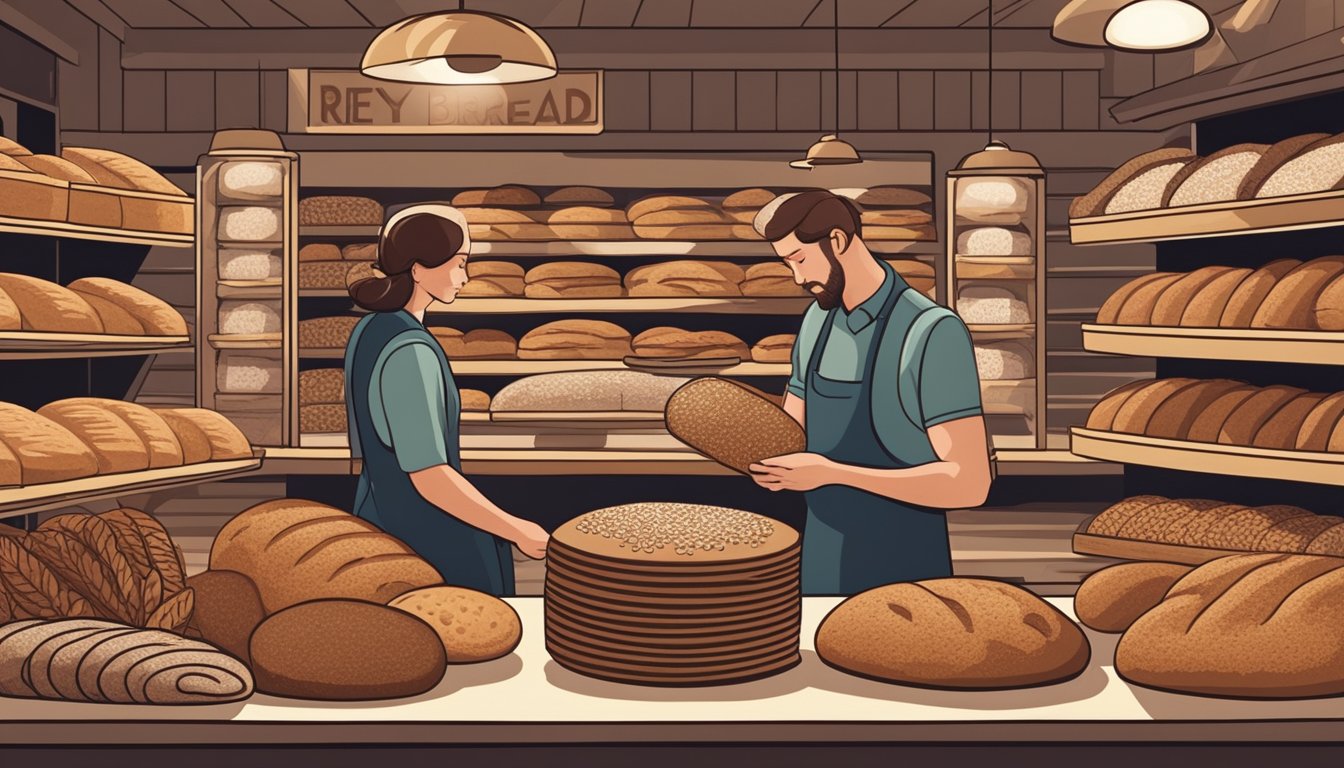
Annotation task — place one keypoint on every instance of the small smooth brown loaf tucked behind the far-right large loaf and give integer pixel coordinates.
(1115, 598)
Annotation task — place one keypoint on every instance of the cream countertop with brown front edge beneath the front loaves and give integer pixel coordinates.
(528, 696)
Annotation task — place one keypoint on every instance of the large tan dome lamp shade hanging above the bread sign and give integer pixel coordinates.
(462, 48)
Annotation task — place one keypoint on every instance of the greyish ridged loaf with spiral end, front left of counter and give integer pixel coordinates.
(96, 661)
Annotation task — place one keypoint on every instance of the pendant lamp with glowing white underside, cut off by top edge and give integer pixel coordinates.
(1144, 26)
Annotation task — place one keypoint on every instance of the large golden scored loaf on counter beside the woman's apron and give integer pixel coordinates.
(298, 551)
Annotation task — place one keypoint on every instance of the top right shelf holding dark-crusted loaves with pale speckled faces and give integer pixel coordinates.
(1247, 189)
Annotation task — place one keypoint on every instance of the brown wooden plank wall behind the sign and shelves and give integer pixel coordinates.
(166, 118)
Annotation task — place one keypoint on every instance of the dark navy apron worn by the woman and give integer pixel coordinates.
(464, 556)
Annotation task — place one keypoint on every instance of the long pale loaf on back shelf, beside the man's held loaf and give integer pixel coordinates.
(619, 391)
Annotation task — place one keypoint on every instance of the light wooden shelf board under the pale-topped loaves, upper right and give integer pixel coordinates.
(1213, 220)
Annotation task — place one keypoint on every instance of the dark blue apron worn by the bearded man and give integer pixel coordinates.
(855, 540)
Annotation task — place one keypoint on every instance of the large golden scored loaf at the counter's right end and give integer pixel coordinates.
(1255, 626)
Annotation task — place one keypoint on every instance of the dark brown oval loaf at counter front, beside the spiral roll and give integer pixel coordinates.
(346, 650)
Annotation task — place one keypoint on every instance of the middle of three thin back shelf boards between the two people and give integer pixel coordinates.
(687, 305)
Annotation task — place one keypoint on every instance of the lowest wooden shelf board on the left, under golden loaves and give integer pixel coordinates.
(28, 500)
